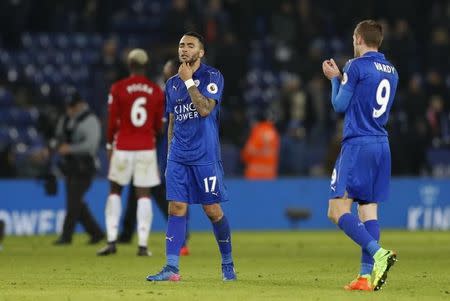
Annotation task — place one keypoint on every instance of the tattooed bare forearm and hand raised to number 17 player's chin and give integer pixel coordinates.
(203, 104)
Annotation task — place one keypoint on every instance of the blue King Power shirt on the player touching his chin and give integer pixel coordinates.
(195, 138)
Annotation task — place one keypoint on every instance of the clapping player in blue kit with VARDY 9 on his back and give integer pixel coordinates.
(365, 93)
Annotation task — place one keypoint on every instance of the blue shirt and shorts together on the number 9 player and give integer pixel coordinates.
(363, 169)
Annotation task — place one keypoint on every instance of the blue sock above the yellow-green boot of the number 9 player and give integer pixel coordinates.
(356, 230)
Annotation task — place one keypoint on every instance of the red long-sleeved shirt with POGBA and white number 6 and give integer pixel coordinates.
(135, 112)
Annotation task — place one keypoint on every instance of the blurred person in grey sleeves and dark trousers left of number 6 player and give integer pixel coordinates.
(76, 140)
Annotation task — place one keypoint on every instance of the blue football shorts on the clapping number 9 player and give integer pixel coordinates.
(363, 170)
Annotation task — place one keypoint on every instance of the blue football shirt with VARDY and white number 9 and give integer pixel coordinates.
(372, 80)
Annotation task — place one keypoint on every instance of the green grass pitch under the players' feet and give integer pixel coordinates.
(270, 265)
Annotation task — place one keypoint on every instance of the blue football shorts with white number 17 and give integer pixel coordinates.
(195, 184)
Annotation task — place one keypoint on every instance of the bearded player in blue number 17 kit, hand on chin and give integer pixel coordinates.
(194, 173)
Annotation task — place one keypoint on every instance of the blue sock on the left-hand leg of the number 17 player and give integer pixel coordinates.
(175, 236)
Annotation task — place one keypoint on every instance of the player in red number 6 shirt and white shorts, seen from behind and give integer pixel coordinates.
(135, 106)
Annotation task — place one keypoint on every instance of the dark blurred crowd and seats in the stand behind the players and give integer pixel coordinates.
(270, 54)
